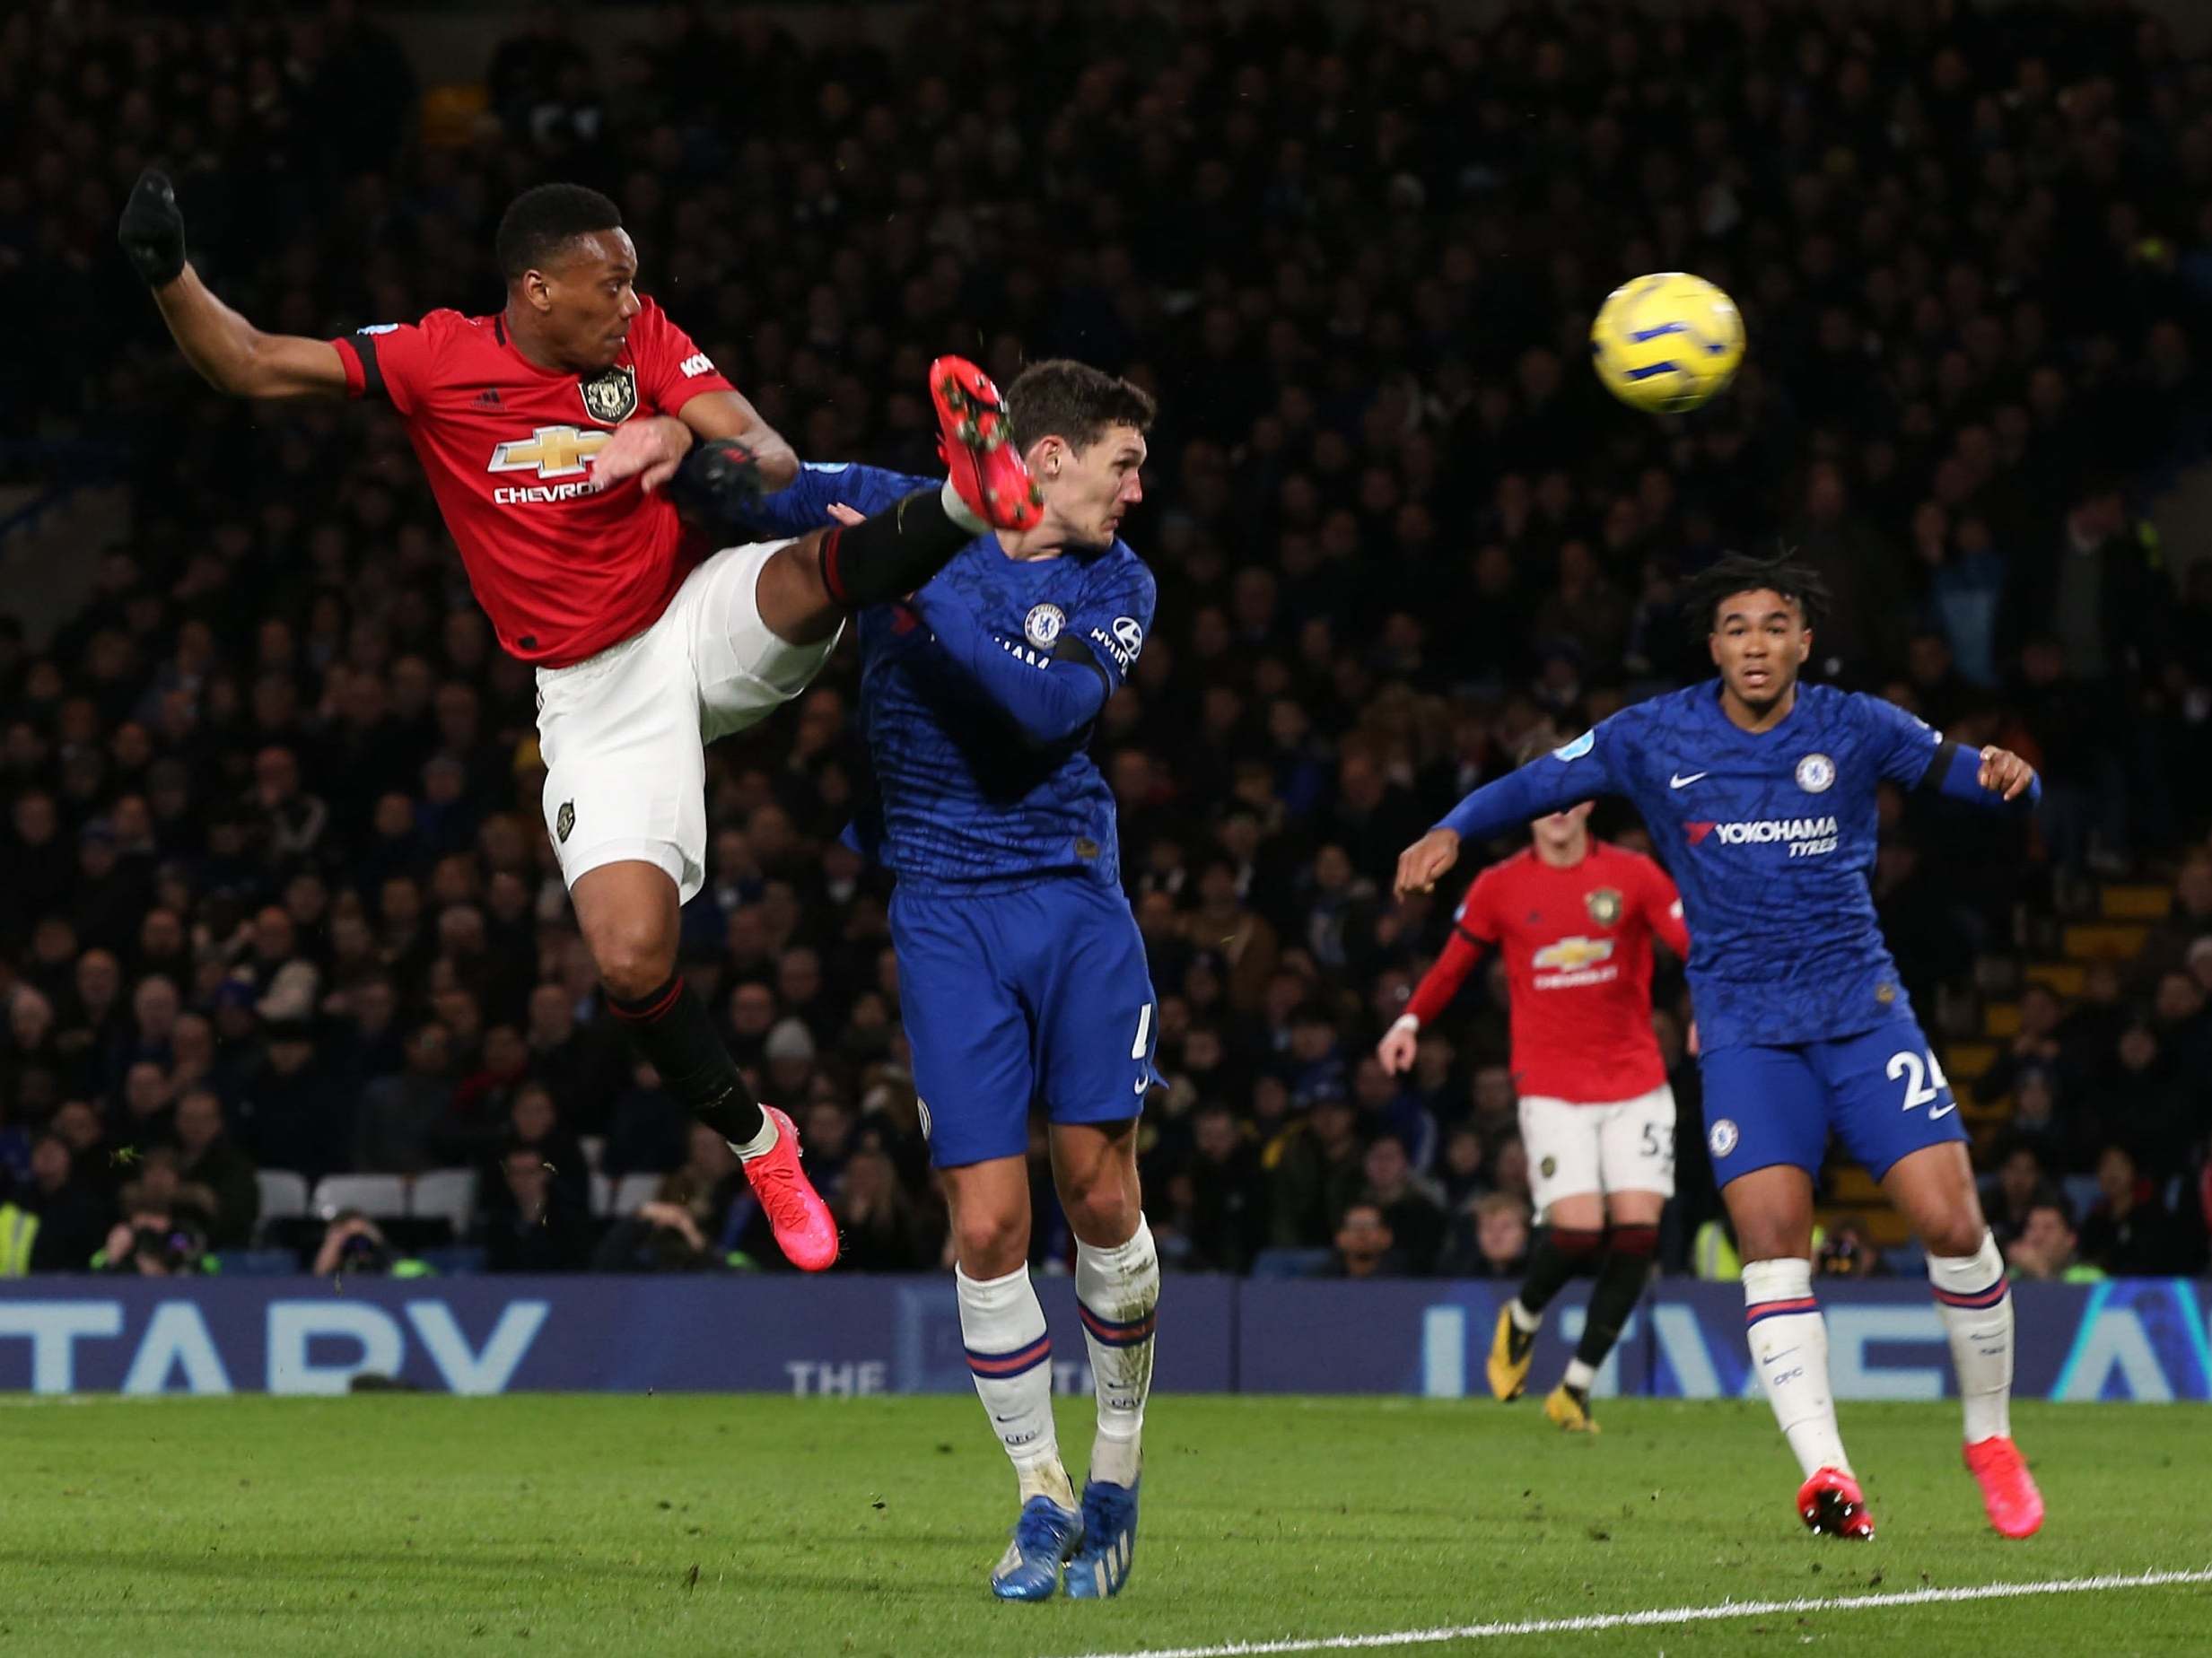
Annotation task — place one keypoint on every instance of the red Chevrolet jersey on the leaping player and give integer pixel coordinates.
(508, 445)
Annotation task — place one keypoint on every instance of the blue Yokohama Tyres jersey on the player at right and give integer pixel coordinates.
(1771, 839)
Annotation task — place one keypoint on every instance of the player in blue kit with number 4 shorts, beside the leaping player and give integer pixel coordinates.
(1021, 969)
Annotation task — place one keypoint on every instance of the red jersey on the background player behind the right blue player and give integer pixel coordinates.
(1578, 949)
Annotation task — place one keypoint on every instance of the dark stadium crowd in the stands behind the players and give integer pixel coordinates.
(278, 885)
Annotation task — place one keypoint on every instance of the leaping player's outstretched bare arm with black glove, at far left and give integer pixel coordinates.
(225, 348)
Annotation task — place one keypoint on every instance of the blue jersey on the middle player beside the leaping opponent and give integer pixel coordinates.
(966, 797)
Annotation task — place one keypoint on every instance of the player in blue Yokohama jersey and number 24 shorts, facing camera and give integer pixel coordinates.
(1762, 799)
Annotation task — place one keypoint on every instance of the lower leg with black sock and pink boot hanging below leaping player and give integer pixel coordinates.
(627, 912)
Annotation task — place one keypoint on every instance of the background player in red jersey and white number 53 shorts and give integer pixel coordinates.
(1576, 923)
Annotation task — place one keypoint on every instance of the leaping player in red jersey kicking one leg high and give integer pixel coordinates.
(550, 432)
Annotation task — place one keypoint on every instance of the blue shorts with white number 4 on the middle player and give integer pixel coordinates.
(1023, 998)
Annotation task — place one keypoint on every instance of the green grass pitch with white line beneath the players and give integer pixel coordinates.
(815, 1526)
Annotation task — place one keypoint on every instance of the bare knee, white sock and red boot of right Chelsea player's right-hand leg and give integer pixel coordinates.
(1934, 1188)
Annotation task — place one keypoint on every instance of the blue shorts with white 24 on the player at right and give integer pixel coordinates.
(1879, 1089)
